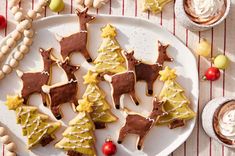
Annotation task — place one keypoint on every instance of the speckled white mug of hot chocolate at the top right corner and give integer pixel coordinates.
(200, 15)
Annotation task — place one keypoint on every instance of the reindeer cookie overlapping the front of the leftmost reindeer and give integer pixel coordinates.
(61, 93)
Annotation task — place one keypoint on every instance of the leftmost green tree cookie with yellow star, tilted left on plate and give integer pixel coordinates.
(34, 124)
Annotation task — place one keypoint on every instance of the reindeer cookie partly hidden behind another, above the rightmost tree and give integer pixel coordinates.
(150, 72)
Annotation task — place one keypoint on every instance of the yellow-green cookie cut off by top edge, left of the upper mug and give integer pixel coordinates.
(154, 6)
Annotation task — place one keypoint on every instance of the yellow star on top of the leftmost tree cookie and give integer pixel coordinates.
(13, 102)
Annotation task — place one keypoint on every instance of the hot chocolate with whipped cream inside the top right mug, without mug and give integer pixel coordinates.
(205, 11)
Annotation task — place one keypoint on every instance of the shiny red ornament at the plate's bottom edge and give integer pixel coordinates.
(109, 148)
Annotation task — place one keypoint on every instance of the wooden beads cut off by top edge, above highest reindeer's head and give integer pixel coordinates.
(92, 3)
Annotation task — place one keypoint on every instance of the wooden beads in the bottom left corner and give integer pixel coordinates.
(8, 145)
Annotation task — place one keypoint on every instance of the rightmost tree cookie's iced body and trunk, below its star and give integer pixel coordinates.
(176, 103)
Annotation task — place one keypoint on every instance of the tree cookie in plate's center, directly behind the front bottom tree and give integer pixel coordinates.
(100, 109)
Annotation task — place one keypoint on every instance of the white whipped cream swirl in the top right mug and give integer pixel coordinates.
(207, 8)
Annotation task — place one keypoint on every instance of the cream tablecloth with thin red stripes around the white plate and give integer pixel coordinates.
(221, 37)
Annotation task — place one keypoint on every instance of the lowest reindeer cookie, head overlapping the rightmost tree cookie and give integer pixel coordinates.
(139, 125)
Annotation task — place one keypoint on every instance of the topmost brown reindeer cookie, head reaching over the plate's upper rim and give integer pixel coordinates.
(77, 42)
